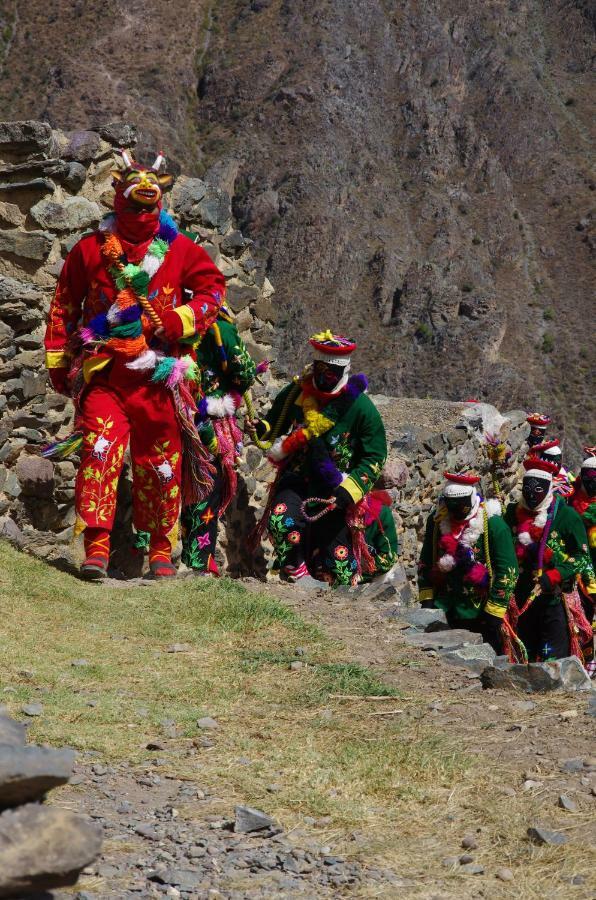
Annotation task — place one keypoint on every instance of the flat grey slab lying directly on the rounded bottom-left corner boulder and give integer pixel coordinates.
(28, 773)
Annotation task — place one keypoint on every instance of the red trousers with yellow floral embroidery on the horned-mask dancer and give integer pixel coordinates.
(119, 407)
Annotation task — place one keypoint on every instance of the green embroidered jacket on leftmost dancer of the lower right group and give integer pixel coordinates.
(450, 592)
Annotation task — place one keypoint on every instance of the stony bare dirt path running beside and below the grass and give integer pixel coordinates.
(166, 835)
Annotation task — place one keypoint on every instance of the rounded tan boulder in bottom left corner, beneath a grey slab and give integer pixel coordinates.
(43, 847)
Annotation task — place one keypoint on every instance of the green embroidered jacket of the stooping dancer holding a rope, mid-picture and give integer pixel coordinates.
(356, 442)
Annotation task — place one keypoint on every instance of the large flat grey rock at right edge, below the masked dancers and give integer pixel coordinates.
(566, 674)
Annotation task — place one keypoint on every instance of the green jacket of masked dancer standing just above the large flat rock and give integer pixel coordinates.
(568, 542)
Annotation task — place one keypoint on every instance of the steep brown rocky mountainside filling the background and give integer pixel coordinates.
(418, 175)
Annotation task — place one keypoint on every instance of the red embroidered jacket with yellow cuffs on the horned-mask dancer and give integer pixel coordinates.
(85, 288)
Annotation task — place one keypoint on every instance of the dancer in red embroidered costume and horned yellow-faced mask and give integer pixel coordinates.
(115, 343)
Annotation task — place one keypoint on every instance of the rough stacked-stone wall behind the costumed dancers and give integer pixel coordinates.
(56, 185)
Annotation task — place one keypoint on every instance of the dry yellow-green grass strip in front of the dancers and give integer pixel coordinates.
(392, 790)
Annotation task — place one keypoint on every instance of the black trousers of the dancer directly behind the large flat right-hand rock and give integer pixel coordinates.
(544, 630)
